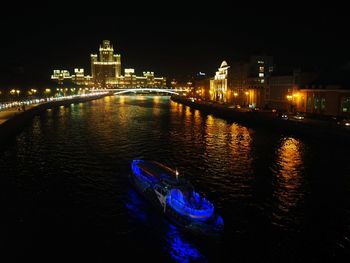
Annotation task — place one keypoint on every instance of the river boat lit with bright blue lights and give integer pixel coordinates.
(175, 197)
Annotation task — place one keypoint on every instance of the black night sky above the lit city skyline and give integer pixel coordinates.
(174, 45)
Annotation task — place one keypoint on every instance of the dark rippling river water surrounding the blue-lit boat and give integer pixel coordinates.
(65, 194)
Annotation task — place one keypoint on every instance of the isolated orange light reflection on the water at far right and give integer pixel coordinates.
(288, 170)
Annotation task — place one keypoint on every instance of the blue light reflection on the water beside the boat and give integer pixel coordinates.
(170, 237)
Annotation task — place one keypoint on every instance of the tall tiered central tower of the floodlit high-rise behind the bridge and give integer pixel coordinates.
(106, 68)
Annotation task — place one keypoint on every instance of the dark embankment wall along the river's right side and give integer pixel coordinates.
(315, 129)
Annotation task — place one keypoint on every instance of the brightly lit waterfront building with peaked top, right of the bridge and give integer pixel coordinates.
(218, 85)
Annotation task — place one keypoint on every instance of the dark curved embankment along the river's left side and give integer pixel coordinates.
(12, 121)
